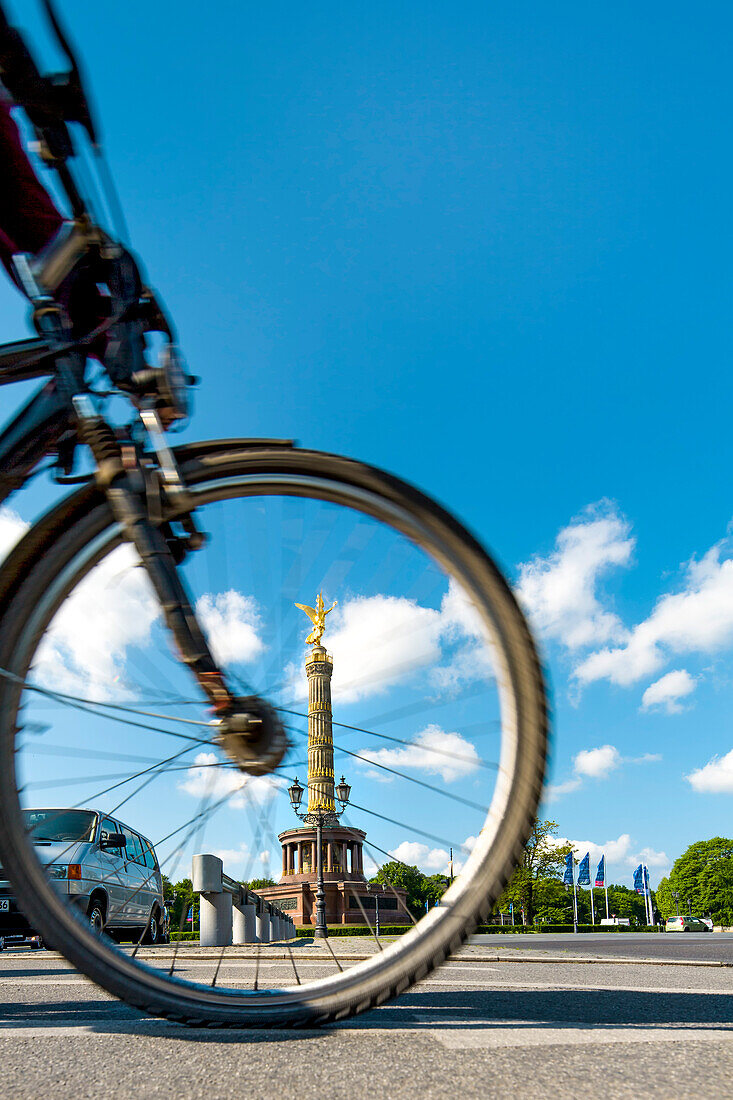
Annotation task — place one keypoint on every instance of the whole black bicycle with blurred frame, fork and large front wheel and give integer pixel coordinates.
(441, 630)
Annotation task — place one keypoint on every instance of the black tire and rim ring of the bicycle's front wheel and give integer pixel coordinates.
(43, 563)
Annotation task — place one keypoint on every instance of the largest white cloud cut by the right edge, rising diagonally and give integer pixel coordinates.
(696, 620)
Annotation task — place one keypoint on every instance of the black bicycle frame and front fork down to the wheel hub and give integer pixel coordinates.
(144, 491)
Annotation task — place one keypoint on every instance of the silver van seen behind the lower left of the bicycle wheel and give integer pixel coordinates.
(108, 870)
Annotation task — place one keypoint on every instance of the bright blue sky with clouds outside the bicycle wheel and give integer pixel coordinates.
(488, 249)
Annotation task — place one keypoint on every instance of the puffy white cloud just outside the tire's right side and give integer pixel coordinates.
(561, 591)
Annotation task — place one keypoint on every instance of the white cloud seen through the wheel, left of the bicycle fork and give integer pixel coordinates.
(114, 609)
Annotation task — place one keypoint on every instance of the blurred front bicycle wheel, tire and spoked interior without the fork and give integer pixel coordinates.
(440, 717)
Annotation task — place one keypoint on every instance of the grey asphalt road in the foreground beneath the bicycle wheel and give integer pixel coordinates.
(476, 1029)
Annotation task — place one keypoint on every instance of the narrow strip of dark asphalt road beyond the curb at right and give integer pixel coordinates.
(716, 947)
